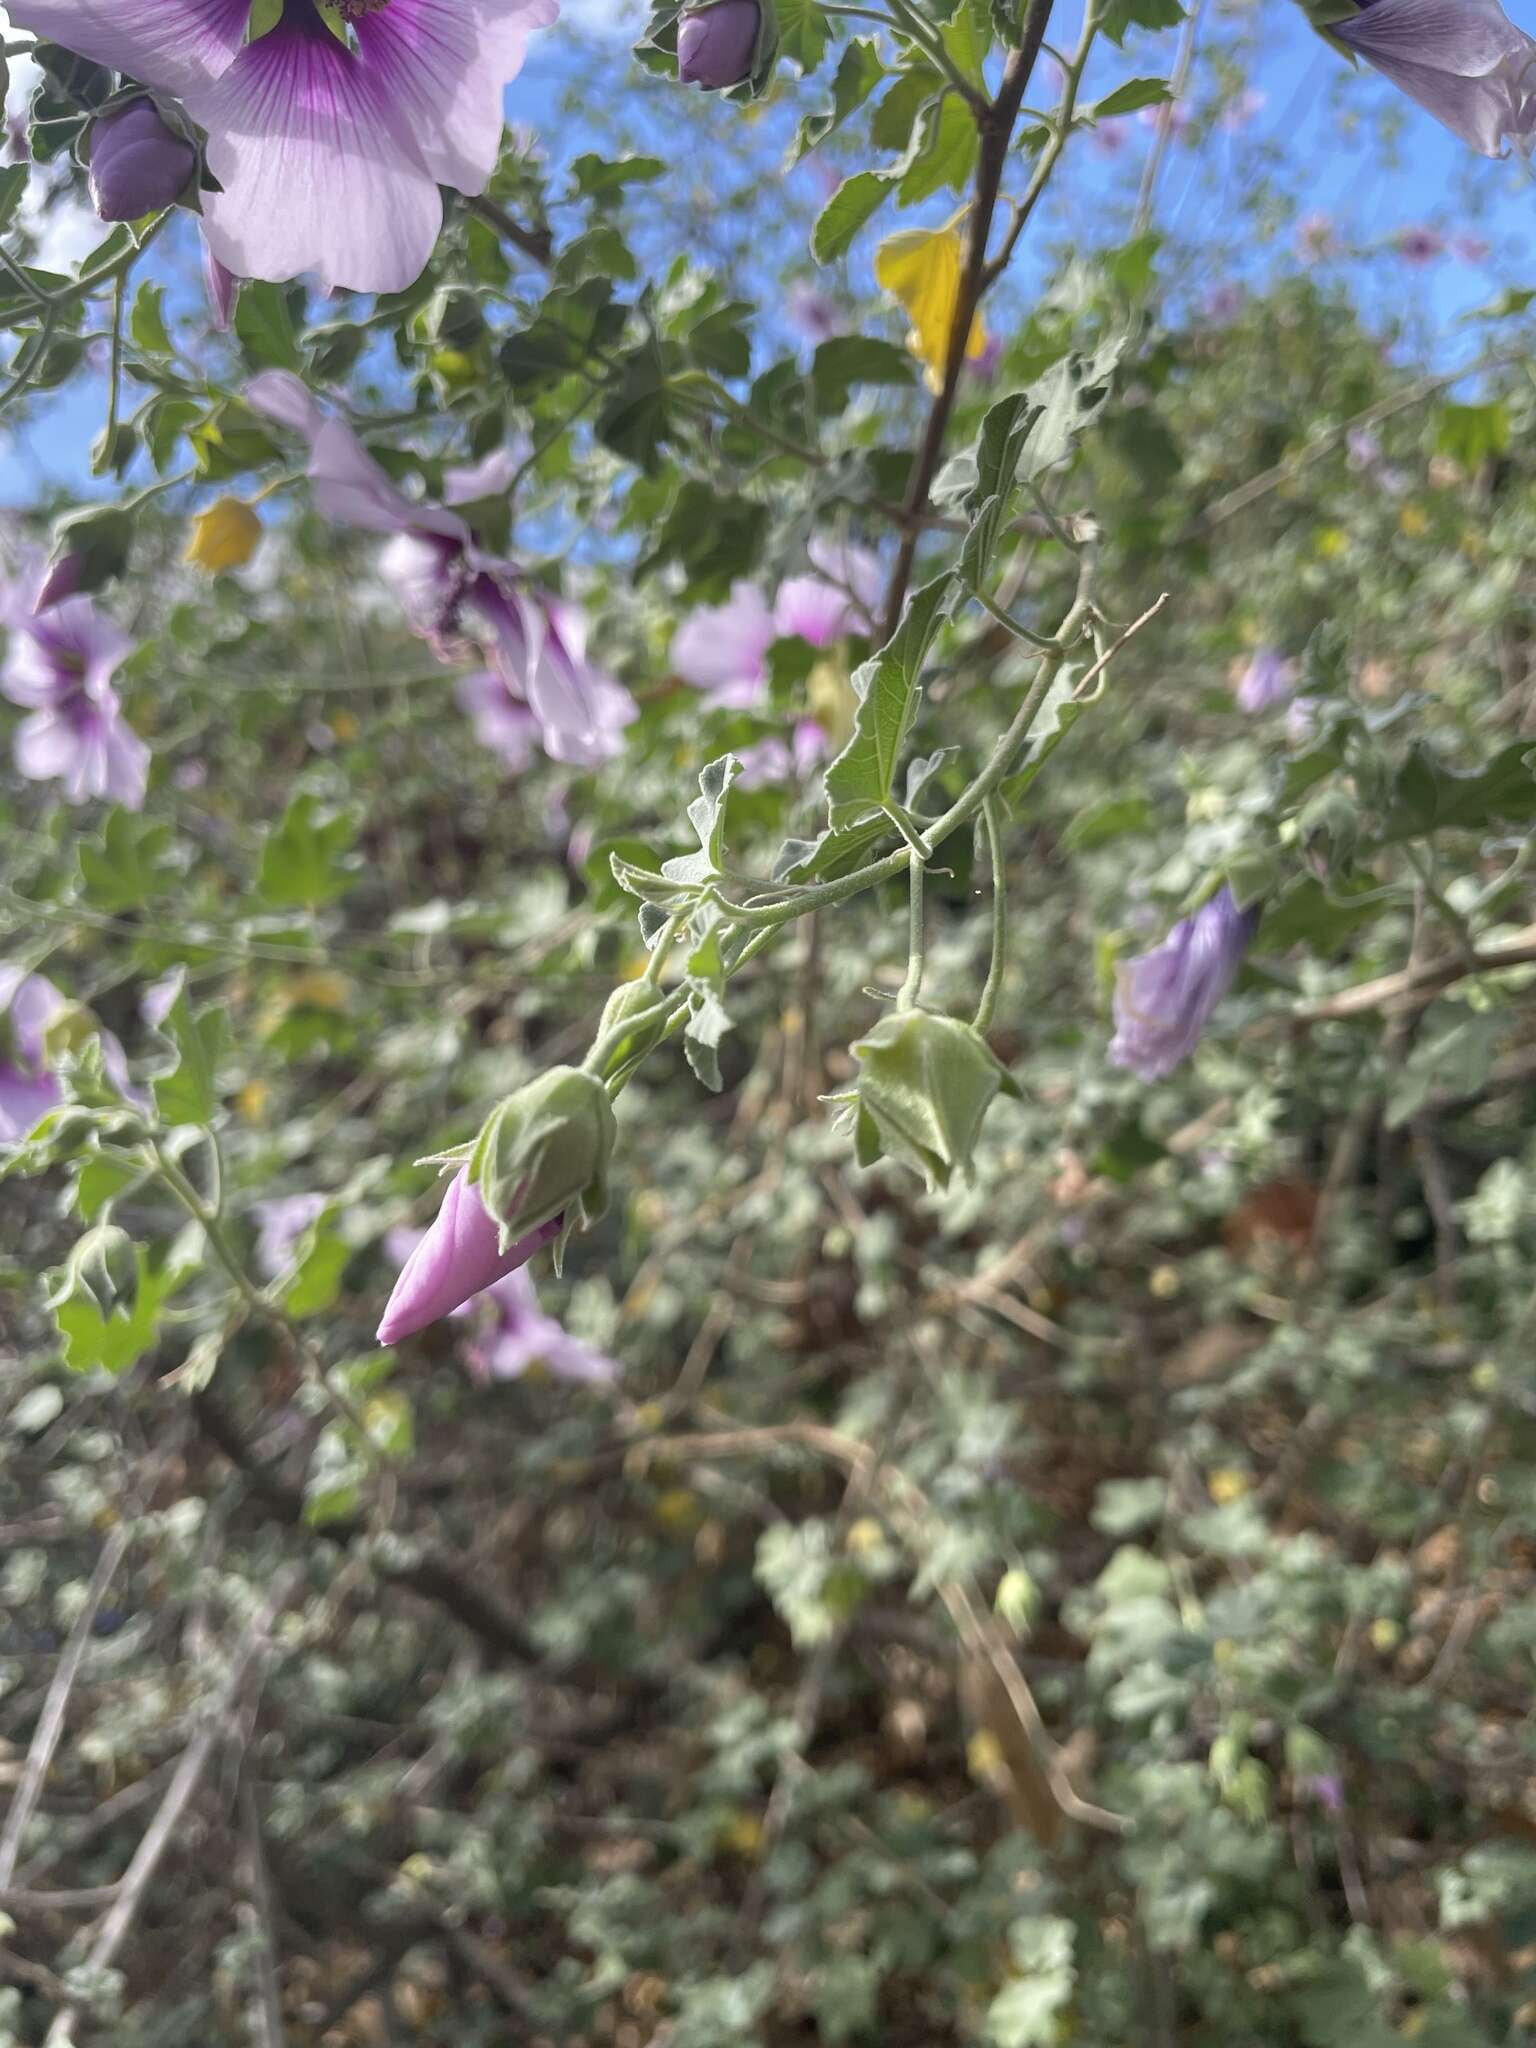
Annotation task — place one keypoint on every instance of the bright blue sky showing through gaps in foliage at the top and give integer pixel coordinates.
(1338, 142)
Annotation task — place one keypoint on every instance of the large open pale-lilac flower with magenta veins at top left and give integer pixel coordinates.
(329, 155)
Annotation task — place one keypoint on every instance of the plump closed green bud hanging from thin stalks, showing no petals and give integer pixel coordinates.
(925, 1086)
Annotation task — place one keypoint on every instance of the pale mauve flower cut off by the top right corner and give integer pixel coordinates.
(1463, 60)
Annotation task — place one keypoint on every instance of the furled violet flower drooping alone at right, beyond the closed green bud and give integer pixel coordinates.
(1168, 996)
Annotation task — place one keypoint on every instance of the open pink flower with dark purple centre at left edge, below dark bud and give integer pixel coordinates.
(60, 669)
